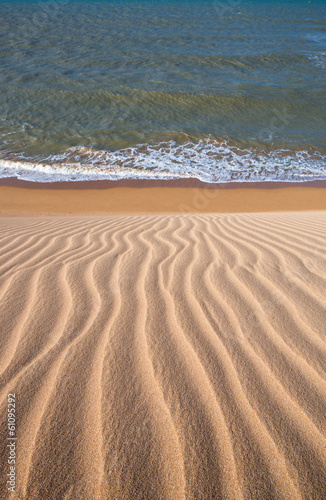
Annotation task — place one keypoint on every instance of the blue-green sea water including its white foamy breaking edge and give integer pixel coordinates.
(223, 90)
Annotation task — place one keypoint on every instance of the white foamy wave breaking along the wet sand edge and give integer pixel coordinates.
(209, 160)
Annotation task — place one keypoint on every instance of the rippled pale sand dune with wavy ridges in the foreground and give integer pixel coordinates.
(165, 357)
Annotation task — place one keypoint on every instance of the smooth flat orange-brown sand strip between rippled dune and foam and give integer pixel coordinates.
(130, 196)
